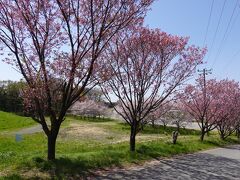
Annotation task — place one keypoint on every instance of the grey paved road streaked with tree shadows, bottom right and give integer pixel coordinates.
(216, 164)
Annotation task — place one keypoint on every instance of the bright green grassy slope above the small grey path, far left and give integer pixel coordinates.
(9, 121)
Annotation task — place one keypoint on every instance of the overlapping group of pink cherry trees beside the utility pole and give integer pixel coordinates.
(213, 104)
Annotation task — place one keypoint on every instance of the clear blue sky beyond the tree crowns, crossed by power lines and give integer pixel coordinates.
(190, 18)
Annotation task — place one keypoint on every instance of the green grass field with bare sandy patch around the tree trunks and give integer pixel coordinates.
(85, 145)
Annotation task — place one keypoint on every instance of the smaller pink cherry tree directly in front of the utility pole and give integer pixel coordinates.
(198, 101)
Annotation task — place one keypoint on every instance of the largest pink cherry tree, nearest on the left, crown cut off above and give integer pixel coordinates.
(55, 44)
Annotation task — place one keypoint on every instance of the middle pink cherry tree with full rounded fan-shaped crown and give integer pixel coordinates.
(146, 67)
